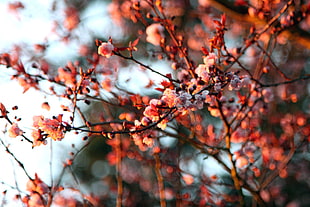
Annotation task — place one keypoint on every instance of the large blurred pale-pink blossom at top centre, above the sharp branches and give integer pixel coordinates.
(154, 33)
